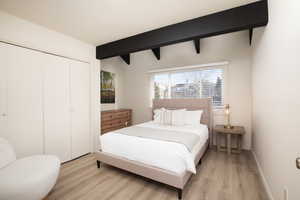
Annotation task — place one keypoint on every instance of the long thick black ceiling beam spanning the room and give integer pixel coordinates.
(236, 19)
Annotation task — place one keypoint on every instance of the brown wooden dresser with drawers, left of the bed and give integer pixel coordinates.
(115, 119)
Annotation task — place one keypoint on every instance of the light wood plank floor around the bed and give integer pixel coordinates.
(219, 177)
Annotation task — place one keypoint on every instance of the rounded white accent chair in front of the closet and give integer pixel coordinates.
(29, 178)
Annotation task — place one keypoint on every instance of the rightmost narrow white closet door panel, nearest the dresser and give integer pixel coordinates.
(80, 102)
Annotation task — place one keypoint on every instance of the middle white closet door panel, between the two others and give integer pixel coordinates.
(57, 116)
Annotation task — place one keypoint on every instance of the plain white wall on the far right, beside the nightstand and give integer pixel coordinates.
(276, 94)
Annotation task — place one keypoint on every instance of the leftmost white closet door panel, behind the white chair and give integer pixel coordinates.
(24, 99)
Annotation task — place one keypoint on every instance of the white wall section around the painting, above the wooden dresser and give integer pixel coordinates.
(119, 87)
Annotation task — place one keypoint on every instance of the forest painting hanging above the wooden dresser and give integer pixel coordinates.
(107, 87)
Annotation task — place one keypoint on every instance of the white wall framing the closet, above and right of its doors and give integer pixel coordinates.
(25, 33)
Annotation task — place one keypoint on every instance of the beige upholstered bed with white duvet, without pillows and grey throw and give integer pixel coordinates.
(162, 161)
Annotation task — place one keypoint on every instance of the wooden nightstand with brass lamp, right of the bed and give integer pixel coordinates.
(237, 131)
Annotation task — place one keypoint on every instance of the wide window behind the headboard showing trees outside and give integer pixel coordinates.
(190, 84)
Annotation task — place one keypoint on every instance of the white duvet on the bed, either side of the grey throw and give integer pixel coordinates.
(170, 156)
